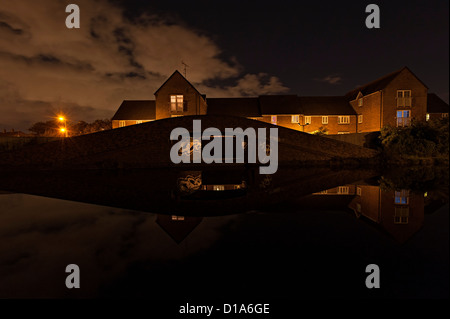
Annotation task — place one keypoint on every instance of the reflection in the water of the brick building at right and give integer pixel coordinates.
(399, 213)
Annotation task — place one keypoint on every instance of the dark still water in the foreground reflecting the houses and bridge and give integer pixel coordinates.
(225, 234)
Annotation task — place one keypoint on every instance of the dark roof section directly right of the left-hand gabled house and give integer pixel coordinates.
(245, 107)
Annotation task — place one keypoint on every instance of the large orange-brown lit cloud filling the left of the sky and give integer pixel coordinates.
(89, 71)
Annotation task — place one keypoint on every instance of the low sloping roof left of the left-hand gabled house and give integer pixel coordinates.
(136, 110)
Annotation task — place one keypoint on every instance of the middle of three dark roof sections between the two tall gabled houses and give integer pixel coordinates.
(279, 104)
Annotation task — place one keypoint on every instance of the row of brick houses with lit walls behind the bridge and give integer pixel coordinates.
(394, 99)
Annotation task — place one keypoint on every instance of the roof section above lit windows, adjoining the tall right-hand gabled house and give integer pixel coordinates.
(326, 105)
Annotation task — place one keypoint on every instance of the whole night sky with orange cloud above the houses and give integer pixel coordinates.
(127, 49)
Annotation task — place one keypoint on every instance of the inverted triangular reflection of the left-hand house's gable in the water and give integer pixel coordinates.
(178, 229)
